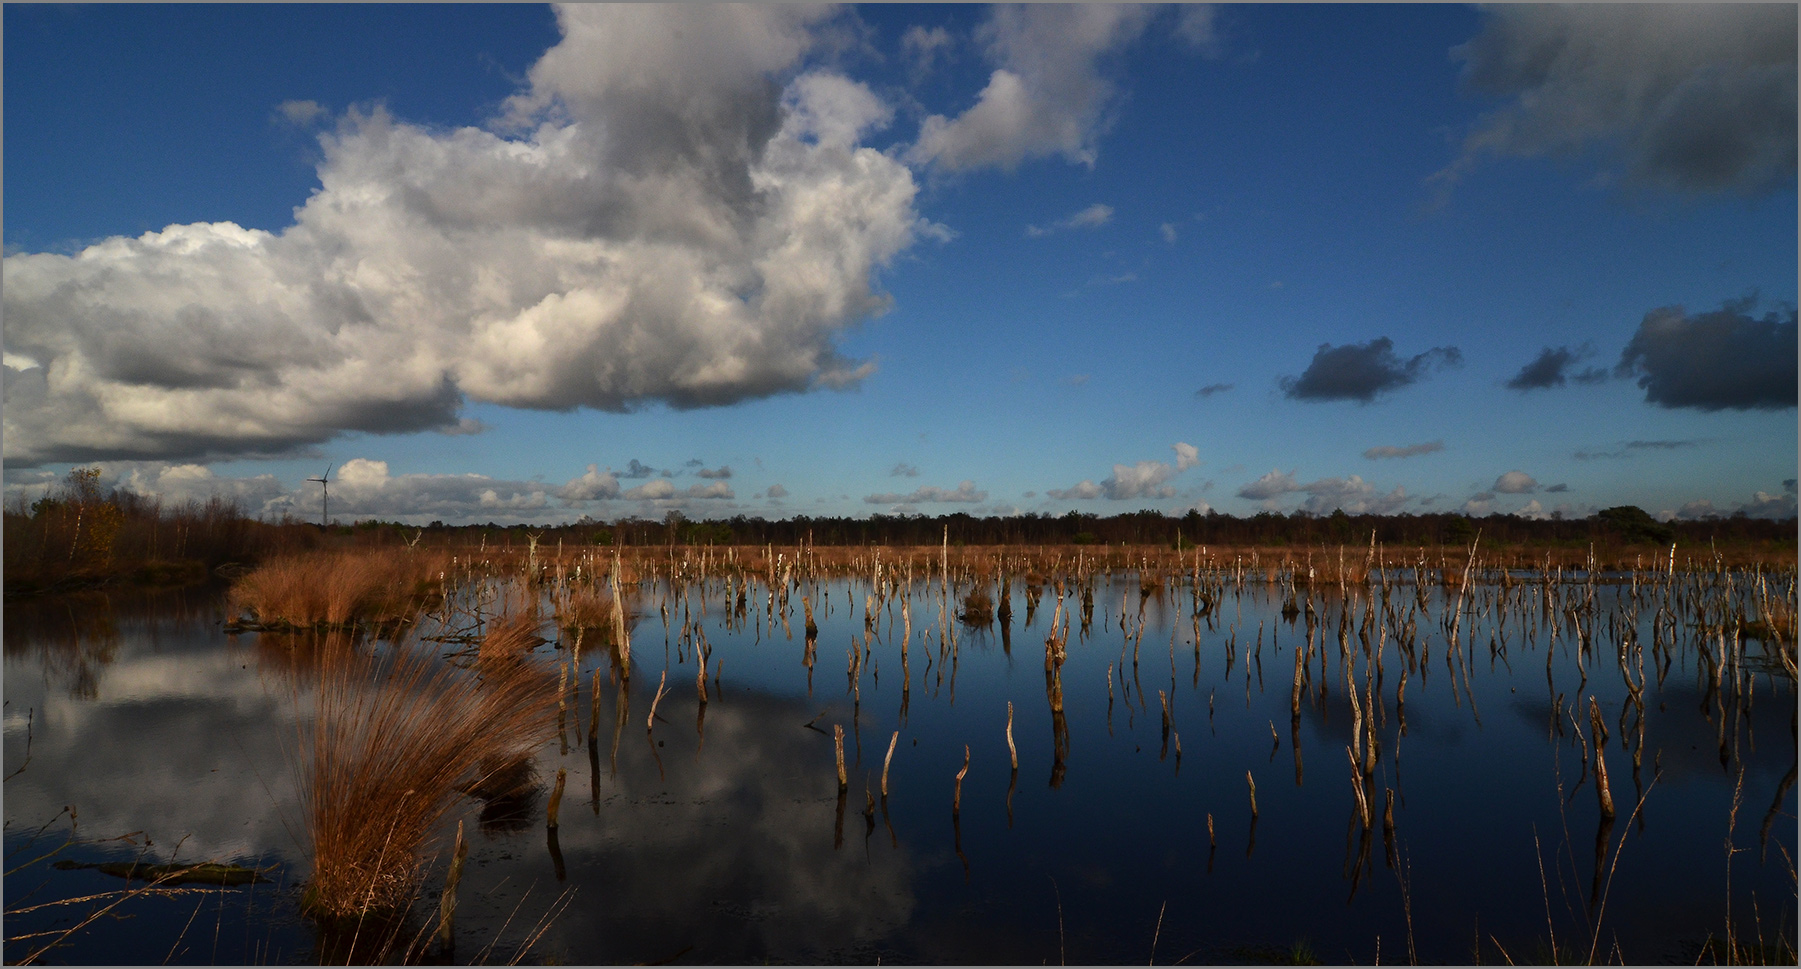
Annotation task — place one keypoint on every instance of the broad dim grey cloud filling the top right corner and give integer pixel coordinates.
(1694, 98)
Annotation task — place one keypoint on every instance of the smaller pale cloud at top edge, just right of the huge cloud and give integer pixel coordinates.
(1047, 95)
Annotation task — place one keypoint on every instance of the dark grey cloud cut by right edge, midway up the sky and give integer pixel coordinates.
(1717, 361)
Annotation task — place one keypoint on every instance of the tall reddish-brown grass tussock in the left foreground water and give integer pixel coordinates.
(392, 745)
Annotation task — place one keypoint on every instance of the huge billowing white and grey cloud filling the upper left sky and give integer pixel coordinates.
(671, 212)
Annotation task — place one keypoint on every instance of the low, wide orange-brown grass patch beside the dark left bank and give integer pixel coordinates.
(336, 588)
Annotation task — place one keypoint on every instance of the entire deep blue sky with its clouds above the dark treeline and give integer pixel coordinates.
(518, 264)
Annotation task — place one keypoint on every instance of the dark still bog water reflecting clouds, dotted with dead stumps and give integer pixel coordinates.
(136, 730)
